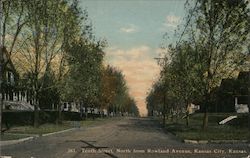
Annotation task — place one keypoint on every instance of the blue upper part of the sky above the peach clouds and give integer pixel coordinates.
(145, 20)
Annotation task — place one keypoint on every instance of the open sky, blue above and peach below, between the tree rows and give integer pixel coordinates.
(134, 30)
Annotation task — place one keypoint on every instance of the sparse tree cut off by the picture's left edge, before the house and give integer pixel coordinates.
(12, 22)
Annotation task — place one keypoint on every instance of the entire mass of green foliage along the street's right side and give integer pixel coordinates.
(213, 46)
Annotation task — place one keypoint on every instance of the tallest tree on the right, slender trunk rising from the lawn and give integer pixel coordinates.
(219, 33)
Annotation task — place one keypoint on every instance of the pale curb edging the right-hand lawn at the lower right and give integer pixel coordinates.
(188, 141)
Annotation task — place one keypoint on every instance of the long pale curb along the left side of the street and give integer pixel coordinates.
(17, 141)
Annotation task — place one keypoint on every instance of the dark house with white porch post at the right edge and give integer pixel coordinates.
(232, 95)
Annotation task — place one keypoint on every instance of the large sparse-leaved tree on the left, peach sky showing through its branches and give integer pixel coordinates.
(36, 35)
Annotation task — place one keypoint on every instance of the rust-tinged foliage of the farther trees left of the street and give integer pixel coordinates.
(114, 92)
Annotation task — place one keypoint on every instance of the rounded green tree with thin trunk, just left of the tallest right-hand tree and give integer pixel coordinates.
(183, 74)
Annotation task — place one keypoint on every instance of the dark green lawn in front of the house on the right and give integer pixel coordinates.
(235, 130)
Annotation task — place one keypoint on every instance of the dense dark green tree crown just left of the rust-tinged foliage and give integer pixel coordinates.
(82, 83)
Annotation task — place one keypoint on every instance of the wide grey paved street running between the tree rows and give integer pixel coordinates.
(123, 138)
